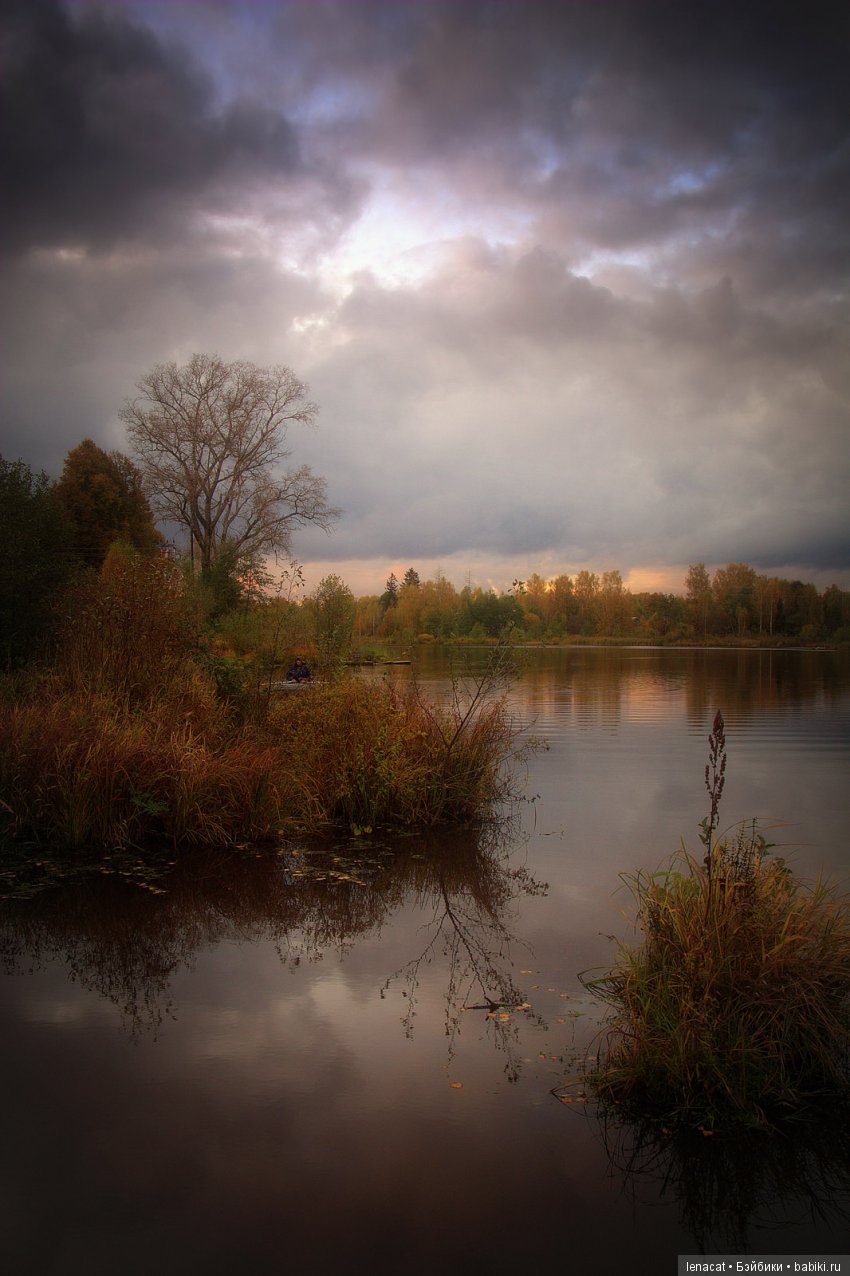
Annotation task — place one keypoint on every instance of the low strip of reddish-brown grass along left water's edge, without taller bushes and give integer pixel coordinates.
(93, 770)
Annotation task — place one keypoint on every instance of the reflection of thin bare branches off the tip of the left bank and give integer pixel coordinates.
(468, 895)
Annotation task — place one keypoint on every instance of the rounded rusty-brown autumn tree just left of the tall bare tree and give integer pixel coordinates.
(105, 501)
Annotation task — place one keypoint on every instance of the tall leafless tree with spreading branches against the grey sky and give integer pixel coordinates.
(211, 441)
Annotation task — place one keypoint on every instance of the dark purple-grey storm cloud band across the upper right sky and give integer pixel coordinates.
(719, 128)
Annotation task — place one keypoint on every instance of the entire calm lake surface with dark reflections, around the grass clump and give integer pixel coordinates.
(289, 1062)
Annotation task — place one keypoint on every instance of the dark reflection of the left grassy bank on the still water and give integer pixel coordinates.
(127, 944)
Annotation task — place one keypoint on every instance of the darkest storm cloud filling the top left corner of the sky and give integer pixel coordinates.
(108, 132)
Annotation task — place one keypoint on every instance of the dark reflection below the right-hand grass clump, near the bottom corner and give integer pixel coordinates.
(734, 1191)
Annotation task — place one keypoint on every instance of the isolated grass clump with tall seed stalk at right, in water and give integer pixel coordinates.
(736, 1007)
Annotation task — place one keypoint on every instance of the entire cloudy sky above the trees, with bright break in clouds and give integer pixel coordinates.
(567, 279)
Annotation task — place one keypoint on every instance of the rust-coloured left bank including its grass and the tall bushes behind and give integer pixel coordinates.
(136, 731)
